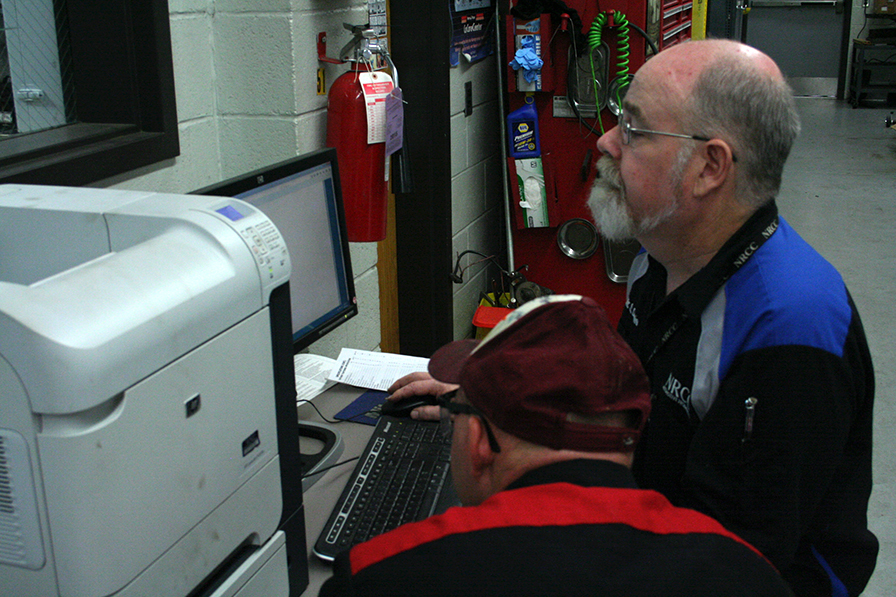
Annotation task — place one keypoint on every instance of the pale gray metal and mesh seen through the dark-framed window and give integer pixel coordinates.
(36, 76)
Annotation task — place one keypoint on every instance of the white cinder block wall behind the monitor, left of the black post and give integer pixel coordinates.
(246, 87)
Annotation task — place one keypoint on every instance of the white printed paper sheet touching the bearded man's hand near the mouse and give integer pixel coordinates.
(374, 370)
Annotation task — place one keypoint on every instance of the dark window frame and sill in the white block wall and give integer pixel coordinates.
(124, 96)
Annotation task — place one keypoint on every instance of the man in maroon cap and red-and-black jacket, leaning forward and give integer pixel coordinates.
(549, 409)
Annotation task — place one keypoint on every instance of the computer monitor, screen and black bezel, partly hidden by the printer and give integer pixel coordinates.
(302, 197)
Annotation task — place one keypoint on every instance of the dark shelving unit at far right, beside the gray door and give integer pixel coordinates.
(873, 72)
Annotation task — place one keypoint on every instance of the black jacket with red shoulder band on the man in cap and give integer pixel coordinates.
(578, 527)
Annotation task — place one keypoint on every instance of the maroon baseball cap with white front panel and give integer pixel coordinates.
(546, 370)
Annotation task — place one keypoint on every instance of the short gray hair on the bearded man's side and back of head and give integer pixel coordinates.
(754, 112)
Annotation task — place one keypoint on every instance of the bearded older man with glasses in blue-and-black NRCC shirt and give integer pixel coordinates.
(761, 378)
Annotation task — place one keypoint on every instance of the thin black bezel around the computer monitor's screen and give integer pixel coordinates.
(264, 176)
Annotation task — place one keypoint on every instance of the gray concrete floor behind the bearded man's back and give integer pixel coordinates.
(839, 192)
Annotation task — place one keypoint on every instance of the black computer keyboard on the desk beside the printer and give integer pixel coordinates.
(402, 476)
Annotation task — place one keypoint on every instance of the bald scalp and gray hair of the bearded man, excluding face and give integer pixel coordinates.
(728, 90)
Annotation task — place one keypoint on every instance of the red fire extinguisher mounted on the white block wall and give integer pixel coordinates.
(362, 165)
